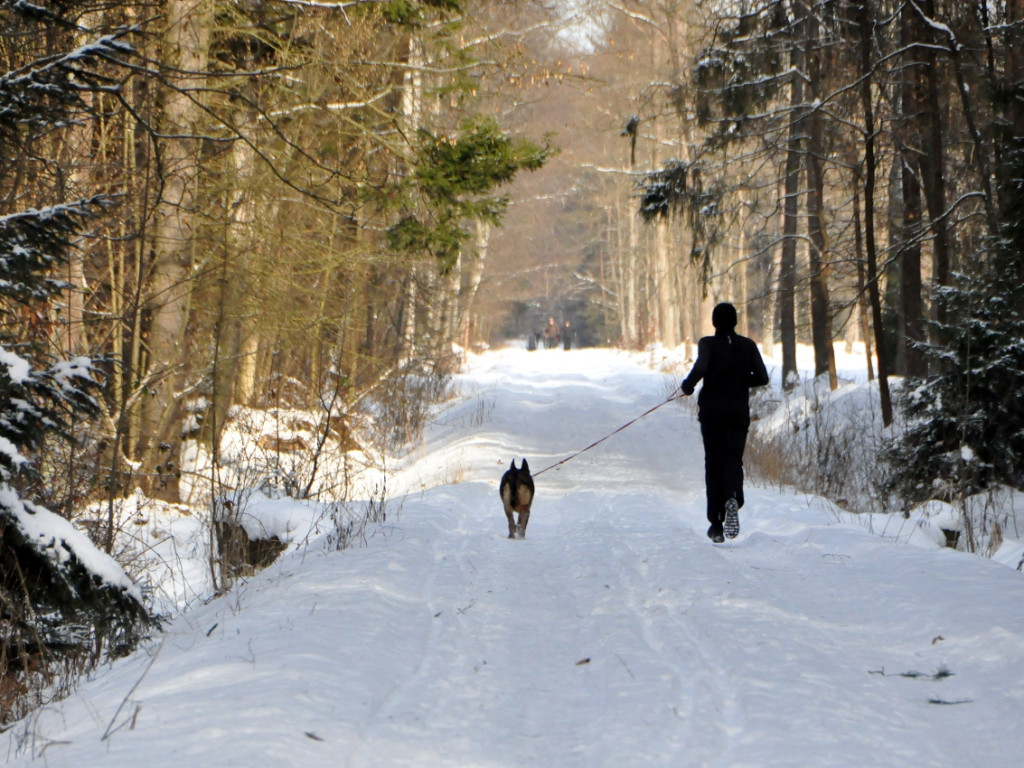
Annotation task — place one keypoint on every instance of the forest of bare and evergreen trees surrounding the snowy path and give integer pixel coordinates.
(314, 209)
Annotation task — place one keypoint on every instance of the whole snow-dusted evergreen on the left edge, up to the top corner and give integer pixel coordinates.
(58, 590)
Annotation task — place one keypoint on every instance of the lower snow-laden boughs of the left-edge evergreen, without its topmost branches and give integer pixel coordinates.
(58, 590)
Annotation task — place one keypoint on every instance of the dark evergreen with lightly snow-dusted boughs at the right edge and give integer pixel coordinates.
(965, 428)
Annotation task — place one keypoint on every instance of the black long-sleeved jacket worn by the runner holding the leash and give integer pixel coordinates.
(730, 365)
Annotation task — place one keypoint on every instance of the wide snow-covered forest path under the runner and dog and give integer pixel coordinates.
(615, 635)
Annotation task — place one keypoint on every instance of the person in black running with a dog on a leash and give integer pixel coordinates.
(730, 365)
